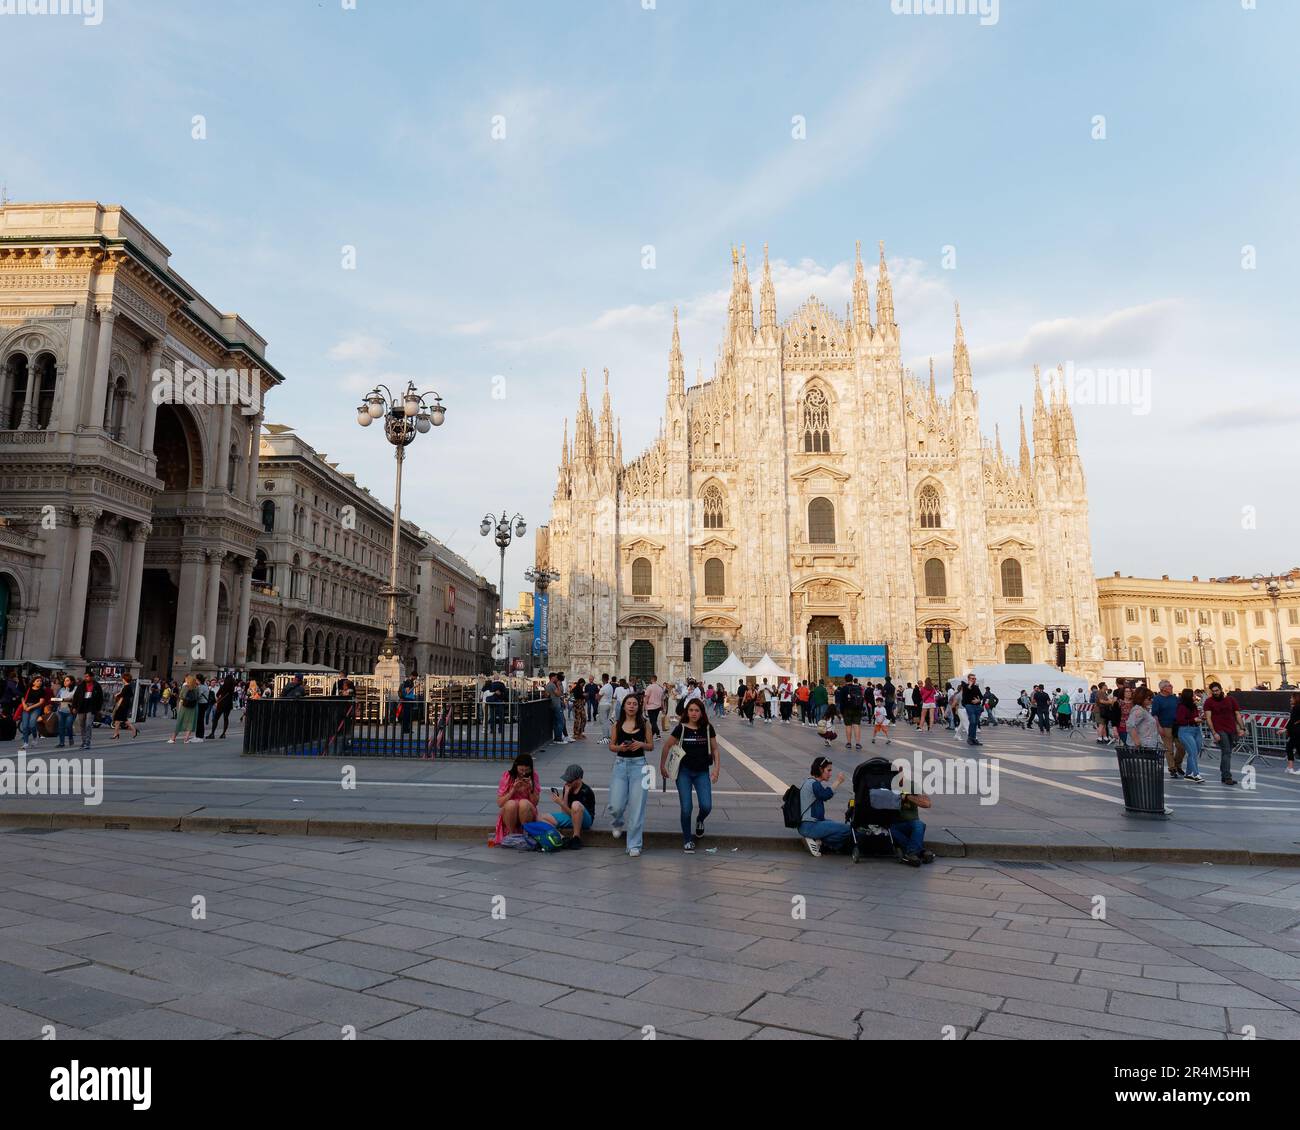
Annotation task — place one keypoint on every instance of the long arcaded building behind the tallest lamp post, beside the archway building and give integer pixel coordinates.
(322, 561)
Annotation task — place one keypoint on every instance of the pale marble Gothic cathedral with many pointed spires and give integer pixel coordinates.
(813, 492)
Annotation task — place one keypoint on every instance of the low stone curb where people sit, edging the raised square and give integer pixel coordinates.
(396, 830)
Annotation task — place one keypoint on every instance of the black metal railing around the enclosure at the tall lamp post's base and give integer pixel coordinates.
(408, 729)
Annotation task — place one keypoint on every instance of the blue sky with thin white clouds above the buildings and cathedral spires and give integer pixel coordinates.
(1099, 184)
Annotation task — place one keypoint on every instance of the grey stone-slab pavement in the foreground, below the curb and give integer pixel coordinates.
(310, 938)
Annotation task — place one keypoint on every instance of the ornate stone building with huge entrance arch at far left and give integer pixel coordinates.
(129, 527)
